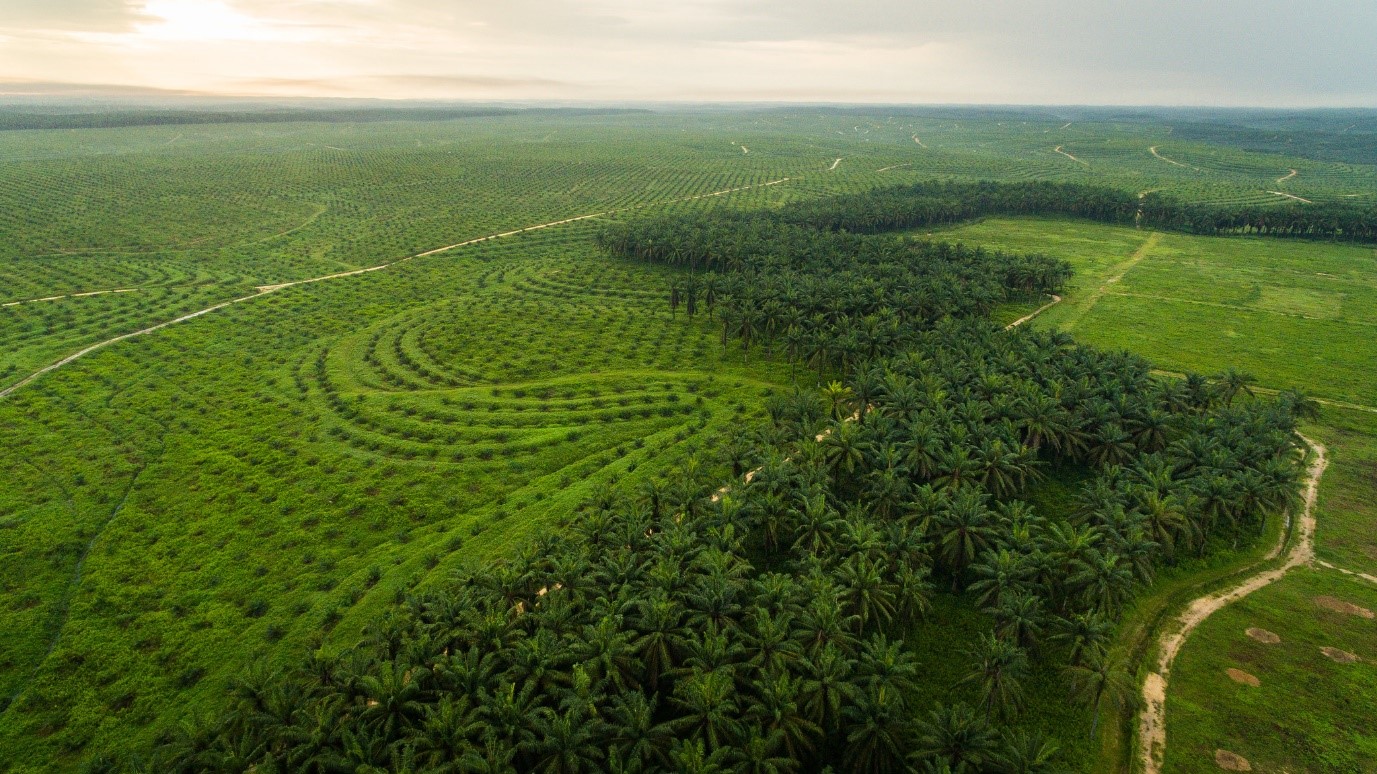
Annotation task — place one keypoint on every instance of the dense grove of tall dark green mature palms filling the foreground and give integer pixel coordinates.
(748, 612)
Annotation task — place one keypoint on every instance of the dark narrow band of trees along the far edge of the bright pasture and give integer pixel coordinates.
(943, 203)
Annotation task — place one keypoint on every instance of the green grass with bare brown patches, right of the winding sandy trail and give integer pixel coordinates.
(1309, 713)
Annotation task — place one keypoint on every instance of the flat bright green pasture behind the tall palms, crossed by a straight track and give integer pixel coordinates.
(1292, 313)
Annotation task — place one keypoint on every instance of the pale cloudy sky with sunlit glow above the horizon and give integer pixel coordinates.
(1295, 53)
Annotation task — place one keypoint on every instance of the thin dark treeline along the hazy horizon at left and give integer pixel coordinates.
(105, 121)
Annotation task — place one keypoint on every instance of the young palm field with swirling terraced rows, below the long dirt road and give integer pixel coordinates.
(227, 499)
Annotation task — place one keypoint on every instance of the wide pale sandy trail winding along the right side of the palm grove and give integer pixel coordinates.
(1152, 725)
